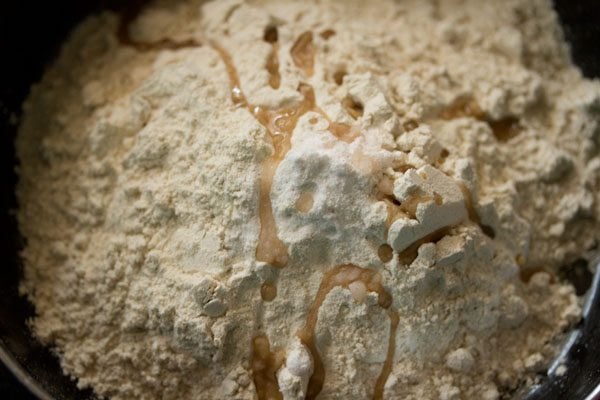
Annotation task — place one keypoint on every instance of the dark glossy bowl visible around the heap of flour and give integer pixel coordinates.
(30, 35)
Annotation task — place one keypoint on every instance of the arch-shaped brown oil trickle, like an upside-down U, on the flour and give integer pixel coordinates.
(347, 276)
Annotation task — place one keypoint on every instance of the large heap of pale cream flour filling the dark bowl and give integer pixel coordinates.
(290, 200)
